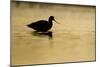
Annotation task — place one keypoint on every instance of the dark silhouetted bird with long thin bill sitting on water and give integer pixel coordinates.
(42, 25)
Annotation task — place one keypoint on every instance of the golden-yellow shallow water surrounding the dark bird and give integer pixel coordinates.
(72, 40)
